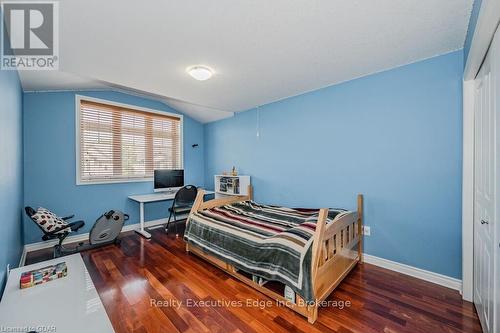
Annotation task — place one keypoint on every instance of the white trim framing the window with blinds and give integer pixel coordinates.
(79, 99)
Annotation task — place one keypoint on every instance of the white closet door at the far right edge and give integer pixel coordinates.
(485, 187)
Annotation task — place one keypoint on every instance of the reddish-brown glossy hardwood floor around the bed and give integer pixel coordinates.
(133, 277)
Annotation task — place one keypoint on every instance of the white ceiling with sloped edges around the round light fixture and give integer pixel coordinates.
(262, 51)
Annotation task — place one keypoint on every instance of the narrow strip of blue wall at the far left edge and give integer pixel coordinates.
(11, 168)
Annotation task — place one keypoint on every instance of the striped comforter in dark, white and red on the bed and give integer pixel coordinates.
(268, 241)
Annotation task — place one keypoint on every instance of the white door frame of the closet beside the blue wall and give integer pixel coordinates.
(487, 23)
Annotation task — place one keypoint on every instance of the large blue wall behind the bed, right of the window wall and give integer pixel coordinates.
(395, 136)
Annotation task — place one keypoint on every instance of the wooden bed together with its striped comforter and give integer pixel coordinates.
(309, 251)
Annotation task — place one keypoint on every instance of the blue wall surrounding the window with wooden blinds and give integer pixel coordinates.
(49, 169)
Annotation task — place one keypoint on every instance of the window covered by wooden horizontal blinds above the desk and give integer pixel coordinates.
(120, 143)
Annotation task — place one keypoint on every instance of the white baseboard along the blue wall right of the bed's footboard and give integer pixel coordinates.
(422, 274)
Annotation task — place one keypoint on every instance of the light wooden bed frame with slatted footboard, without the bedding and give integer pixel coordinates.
(336, 250)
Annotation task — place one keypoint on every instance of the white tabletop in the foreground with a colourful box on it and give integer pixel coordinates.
(68, 304)
